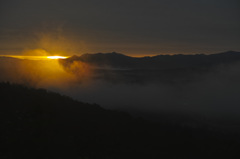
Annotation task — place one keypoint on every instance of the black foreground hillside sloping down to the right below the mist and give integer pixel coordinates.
(39, 124)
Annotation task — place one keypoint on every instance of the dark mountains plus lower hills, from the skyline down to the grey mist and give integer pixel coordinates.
(115, 67)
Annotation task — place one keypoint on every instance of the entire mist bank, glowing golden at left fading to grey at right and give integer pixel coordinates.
(212, 94)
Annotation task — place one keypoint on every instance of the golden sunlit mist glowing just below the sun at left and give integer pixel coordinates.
(34, 73)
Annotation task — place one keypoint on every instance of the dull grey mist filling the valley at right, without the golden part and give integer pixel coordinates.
(214, 93)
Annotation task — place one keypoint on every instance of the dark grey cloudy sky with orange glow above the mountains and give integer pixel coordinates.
(132, 27)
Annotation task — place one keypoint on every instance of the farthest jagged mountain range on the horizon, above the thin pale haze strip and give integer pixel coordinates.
(117, 60)
